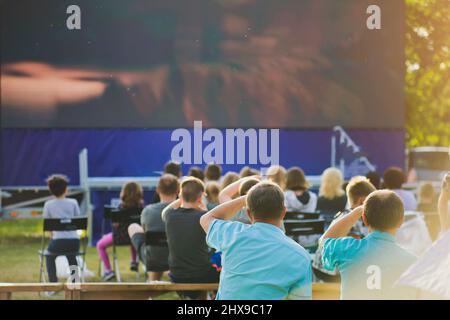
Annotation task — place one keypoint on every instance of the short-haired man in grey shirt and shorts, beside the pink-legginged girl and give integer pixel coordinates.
(155, 258)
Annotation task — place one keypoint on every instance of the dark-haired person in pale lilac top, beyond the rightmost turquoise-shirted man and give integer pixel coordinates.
(393, 179)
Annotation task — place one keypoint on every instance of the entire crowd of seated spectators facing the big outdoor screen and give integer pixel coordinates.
(243, 221)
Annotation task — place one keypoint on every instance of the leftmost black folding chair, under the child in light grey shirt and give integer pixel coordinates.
(73, 224)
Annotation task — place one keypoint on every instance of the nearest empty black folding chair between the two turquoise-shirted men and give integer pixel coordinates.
(298, 228)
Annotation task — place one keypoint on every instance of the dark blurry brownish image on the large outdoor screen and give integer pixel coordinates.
(229, 63)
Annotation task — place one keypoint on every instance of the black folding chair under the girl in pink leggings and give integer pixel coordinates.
(123, 217)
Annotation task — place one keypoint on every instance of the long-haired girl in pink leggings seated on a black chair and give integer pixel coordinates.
(132, 198)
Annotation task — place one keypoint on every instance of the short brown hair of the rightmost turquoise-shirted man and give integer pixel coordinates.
(383, 210)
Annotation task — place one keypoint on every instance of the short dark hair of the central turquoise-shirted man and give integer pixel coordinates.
(265, 201)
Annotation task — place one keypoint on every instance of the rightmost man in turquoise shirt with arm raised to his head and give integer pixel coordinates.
(369, 267)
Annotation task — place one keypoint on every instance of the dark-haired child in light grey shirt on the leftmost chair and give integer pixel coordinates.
(58, 208)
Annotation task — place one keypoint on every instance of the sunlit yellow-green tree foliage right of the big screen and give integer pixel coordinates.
(428, 72)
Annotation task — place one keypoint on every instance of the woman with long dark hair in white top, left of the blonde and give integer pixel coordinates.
(297, 196)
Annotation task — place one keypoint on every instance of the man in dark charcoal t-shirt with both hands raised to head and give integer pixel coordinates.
(189, 256)
